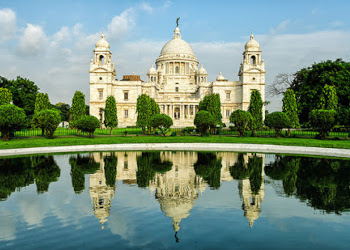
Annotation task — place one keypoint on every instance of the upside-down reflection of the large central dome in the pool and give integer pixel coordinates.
(177, 189)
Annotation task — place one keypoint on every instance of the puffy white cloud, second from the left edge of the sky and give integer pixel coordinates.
(33, 41)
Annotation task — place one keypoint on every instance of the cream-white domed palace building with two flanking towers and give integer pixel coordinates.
(176, 83)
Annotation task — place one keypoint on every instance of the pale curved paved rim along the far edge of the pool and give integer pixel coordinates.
(228, 147)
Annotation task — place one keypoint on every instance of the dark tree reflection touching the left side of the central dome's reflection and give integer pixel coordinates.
(147, 165)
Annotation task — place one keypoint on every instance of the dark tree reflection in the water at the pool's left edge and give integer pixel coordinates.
(14, 174)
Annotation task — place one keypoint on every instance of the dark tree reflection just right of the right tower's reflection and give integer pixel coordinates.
(285, 168)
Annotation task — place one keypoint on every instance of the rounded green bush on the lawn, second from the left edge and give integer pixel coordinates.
(47, 120)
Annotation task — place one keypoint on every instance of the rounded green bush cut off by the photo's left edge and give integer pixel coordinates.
(11, 118)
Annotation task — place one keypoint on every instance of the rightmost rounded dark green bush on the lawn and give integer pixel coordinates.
(322, 121)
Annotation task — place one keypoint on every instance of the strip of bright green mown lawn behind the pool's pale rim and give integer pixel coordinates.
(80, 140)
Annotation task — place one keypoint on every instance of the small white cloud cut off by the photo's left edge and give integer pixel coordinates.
(8, 27)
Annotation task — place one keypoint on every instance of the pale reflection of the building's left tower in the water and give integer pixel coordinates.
(100, 193)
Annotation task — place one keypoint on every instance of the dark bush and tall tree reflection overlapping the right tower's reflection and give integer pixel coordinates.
(240, 171)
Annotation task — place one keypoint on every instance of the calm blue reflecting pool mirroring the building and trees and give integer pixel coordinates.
(174, 200)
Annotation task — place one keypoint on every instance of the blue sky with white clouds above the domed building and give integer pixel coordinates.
(52, 42)
